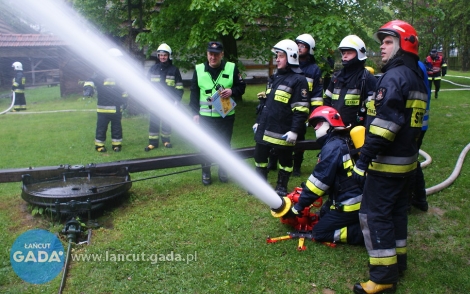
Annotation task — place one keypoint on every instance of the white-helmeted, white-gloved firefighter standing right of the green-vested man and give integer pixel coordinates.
(282, 115)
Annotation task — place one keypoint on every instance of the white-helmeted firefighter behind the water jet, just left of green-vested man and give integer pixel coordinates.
(168, 77)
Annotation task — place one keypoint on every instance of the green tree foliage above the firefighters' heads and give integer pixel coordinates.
(249, 29)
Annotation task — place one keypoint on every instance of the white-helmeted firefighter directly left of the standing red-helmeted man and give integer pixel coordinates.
(350, 88)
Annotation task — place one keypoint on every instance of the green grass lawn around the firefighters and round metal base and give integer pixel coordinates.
(220, 224)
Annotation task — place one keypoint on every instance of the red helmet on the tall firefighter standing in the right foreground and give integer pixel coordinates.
(403, 31)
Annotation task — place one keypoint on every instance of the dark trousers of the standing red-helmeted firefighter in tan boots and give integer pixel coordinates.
(384, 221)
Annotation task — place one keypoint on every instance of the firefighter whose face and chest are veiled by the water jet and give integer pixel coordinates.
(111, 102)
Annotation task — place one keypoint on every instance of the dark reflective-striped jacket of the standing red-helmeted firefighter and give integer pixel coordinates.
(400, 104)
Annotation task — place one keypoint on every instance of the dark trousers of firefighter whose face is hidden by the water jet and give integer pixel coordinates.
(102, 127)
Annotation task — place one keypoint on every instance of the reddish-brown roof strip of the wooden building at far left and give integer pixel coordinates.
(29, 40)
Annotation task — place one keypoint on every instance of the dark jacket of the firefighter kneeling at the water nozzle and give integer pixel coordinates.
(332, 173)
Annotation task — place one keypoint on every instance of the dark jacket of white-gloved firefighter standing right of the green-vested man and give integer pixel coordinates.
(286, 108)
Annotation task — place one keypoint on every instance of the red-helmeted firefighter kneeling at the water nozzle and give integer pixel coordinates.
(332, 175)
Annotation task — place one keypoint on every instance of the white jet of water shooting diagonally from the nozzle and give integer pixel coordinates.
(75, 31)
